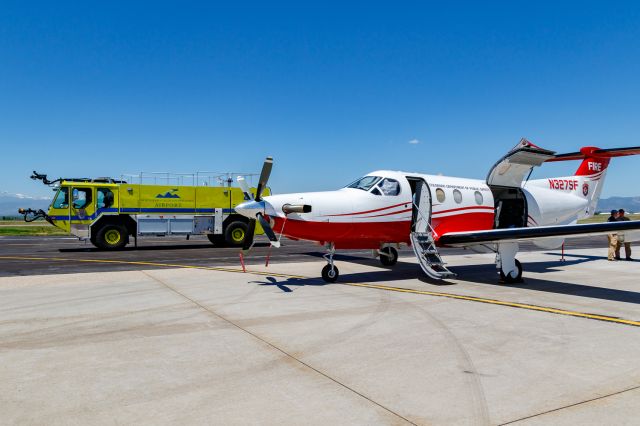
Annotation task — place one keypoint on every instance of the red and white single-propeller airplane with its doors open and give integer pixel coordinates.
(387, 208)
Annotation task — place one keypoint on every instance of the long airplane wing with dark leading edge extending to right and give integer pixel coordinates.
(630, 228)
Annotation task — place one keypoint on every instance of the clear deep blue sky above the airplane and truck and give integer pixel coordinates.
(331, 90)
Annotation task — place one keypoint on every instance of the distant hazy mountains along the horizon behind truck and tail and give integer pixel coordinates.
(10, 203)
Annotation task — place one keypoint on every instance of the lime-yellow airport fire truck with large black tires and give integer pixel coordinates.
(107, 211)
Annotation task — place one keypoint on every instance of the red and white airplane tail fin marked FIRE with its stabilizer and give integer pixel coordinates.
(589, 178)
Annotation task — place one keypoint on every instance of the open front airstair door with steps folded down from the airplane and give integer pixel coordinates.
(422, 240)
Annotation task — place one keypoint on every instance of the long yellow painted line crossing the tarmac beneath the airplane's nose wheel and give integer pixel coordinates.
(597, 317)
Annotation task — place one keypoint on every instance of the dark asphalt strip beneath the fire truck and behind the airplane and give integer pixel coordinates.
(27, 255)
